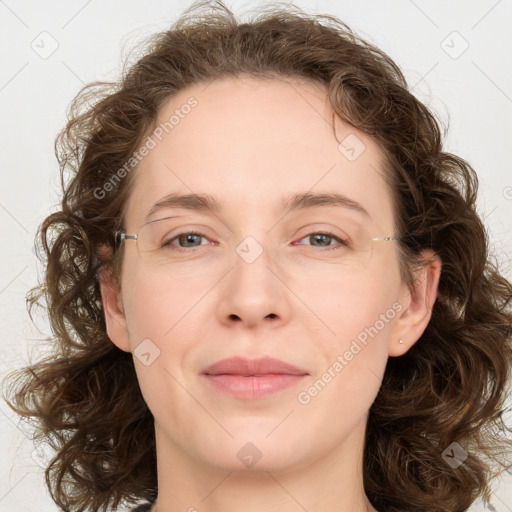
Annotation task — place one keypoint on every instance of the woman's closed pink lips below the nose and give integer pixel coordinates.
(252, 378)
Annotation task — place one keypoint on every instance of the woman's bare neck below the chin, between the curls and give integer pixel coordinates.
(332, 483)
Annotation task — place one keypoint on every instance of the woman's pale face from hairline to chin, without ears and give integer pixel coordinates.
(258, 281)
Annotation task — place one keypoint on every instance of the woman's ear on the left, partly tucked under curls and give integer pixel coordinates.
(113, 307)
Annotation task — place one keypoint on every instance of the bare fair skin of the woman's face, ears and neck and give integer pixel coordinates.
(292, 303)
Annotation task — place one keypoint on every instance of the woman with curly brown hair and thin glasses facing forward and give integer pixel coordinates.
(268, 284)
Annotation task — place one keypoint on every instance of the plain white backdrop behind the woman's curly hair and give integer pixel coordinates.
(456, 55)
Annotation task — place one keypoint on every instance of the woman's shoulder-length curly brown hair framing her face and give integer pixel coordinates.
(451, 385)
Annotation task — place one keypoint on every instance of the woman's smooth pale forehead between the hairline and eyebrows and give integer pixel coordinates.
(250, 142)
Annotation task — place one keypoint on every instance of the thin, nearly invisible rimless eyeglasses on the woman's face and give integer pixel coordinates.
(162, 241)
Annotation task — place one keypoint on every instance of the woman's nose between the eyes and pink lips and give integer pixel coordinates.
(255, 290)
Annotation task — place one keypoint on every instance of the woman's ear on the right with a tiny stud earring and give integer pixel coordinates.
(417, 303)
